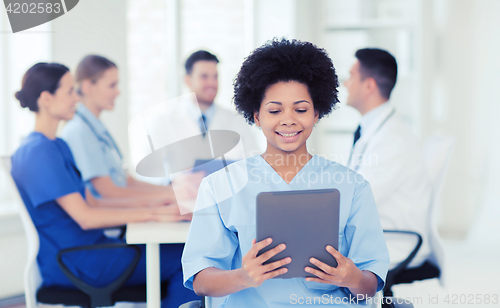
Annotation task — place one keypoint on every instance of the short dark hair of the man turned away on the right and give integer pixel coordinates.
(379, 65)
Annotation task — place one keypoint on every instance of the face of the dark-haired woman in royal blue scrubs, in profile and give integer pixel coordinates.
(61, 104)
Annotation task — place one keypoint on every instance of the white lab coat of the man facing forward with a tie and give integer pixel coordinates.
(178, 119)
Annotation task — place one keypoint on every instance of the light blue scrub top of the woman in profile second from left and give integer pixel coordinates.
(96, 153)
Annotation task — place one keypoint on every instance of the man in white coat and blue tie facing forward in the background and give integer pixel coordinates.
(184, 129)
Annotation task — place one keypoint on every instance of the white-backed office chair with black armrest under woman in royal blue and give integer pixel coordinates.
(84, 295)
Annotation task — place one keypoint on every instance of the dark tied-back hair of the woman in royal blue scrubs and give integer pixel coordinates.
(39, 78)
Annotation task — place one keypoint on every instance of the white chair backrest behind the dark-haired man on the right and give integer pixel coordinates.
(437, 154)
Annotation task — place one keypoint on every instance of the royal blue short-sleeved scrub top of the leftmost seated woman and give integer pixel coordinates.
(44, 170)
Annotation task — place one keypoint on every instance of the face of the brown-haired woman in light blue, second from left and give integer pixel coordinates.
(103, 92)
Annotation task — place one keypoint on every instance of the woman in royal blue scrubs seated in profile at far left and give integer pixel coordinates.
(64, 213)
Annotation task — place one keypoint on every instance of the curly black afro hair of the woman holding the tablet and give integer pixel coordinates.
(282, 60)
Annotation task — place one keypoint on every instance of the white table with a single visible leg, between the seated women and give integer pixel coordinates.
(153, 234)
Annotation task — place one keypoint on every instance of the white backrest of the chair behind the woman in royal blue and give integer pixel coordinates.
(32, 277)
